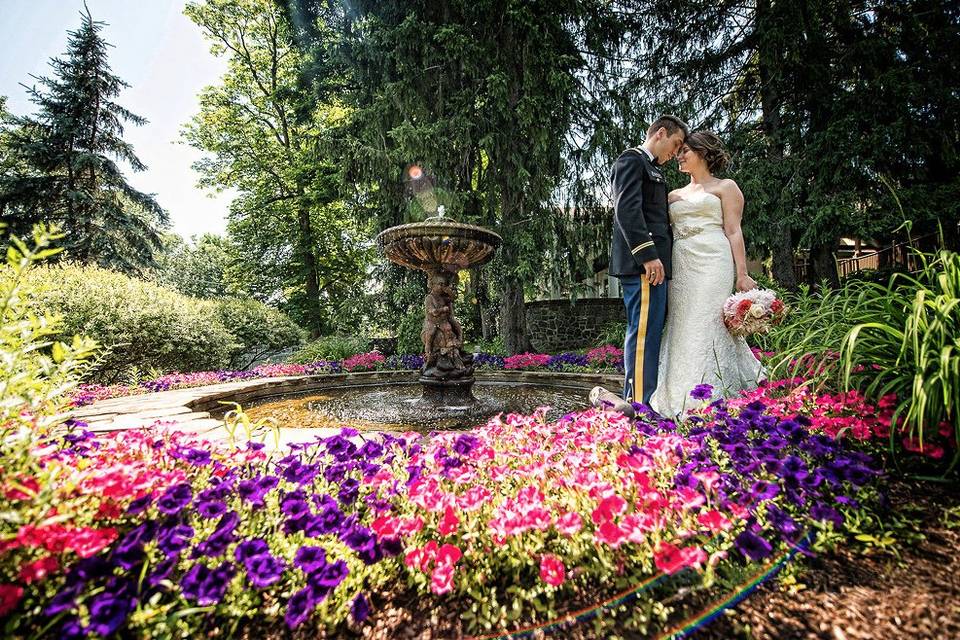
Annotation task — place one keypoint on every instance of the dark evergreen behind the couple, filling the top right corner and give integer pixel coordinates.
(838, 111)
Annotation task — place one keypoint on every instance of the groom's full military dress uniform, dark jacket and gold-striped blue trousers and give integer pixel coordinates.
(641, 233)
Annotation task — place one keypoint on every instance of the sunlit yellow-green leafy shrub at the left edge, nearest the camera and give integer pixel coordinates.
(36, 371)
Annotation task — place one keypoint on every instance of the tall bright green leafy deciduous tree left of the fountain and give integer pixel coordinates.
(263, 138)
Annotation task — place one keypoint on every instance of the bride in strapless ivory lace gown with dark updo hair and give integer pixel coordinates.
(709, 259)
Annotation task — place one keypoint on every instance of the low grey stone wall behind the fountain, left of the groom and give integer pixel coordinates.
(558, 325)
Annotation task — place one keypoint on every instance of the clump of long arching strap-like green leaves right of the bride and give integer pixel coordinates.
(900, 337)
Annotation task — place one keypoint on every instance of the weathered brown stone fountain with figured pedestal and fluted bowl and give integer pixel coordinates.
(442, 248)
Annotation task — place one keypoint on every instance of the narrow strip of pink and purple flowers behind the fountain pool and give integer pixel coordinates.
(608, 358)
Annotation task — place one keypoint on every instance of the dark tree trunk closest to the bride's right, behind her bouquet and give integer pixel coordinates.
(781, 243)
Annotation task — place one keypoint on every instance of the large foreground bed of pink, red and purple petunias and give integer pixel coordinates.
(508, 522)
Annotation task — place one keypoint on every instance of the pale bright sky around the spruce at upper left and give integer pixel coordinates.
(165, 59)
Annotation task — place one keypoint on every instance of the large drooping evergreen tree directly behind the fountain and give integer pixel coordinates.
(483, 96)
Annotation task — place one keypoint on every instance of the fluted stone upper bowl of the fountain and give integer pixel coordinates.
(438, 242)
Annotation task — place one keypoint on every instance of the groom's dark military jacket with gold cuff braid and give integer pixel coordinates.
(641, 222)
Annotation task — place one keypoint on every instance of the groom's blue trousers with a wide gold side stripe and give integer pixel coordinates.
(646, 311)
